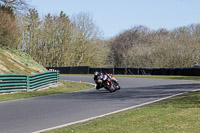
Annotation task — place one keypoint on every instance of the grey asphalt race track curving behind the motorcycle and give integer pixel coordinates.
(36, 114)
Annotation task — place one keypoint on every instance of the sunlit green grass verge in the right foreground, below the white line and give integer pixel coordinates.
(174, 115)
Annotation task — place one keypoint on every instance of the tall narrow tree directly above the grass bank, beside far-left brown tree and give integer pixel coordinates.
(30, 31)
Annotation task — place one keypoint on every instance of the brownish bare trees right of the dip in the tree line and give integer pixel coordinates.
(142, 47)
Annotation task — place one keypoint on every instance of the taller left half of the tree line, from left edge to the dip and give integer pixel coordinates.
(55, 40)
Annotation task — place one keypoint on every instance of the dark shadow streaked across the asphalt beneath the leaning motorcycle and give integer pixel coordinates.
(157, 92)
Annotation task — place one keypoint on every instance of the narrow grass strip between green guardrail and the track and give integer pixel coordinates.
(64, 87)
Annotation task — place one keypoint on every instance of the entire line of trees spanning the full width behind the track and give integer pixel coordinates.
(62, 40)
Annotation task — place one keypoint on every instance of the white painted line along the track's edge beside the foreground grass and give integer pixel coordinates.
(114, 112)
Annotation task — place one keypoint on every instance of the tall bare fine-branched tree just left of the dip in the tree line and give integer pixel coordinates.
(87, 50)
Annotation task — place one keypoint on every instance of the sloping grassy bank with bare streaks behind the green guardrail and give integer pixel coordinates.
(16, 62)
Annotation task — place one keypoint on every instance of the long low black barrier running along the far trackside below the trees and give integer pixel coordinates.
(195, 71)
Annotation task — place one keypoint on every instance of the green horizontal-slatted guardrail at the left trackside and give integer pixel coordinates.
(19, 82)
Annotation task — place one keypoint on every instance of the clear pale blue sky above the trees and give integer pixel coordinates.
(115, 16)
